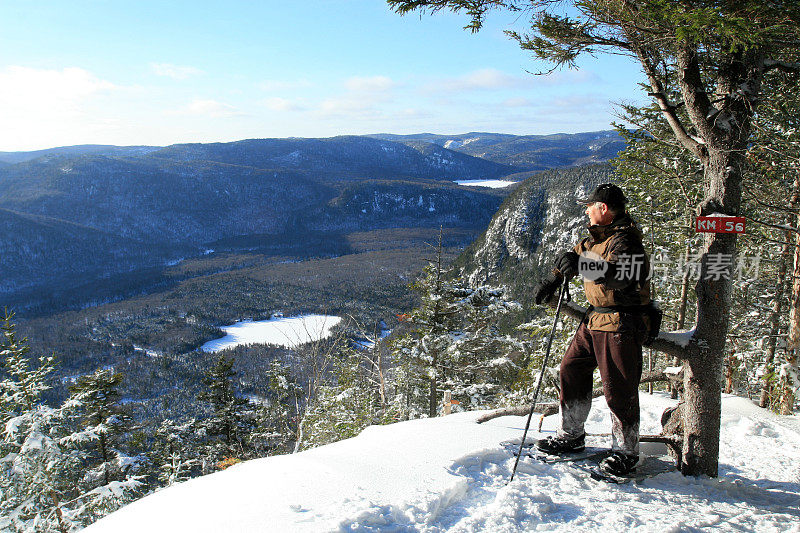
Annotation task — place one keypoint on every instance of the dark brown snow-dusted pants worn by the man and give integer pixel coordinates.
(618, 355)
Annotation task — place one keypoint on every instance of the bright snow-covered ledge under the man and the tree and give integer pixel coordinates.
(451, 474)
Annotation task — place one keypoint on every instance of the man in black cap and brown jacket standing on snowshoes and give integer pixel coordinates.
(615, 269)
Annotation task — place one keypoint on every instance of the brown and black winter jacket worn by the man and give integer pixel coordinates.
(625, 284)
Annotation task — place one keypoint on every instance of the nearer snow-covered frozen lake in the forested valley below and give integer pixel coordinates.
(287, 332)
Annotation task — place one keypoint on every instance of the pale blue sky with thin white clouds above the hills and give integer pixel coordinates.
(146, 72)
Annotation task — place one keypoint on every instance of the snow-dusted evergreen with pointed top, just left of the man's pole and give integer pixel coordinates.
(451, 342)
